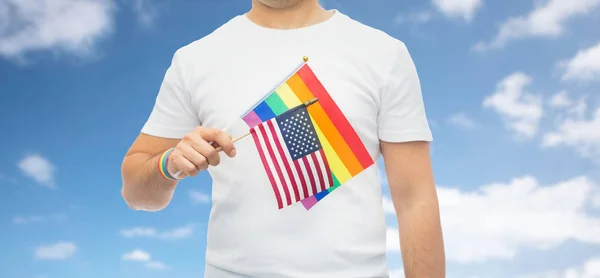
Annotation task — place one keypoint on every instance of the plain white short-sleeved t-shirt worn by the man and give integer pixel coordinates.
(214, 80)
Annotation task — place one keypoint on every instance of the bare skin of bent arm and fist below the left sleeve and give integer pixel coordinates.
(144, 188)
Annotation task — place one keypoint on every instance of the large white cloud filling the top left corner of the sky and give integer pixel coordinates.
(71, 26)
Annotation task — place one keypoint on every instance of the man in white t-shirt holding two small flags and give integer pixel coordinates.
(212, 81)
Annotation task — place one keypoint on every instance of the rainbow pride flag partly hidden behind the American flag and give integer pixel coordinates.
(345, 152)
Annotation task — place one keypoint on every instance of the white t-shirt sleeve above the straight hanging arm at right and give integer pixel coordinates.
(402, 115)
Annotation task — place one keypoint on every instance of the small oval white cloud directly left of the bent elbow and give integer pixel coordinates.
(38, 168)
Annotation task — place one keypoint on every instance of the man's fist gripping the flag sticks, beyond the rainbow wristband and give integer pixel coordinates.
(195, 152)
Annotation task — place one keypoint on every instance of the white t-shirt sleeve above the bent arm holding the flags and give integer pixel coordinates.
(173, 114)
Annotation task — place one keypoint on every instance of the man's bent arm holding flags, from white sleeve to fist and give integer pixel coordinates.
(173, 123)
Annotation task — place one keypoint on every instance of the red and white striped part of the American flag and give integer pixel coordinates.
(292, 180)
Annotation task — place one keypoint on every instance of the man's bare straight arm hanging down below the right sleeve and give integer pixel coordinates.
(414, 196)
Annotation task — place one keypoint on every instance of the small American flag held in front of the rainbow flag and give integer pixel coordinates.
(292, 156)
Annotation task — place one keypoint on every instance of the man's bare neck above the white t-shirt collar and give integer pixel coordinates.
(304, 14)
